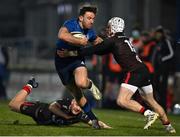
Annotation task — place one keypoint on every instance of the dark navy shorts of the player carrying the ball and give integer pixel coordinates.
(65, 68)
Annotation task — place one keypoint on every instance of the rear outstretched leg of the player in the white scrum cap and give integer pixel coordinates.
(147, 95)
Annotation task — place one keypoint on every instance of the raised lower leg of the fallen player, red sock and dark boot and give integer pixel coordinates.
(21, 96)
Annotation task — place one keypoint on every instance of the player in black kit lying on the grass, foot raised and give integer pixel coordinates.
(60, 112)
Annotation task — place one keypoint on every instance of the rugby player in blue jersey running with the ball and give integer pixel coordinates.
(72, 70)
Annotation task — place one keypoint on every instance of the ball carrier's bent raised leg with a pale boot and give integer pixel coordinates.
(83, 82)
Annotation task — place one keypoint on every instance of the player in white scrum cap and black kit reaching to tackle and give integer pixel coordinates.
(137, 75)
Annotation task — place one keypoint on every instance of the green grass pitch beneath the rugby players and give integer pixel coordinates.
(124, 123)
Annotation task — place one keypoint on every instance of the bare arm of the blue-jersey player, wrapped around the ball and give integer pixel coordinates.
(65, 35)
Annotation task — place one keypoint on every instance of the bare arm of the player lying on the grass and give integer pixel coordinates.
(56, 109)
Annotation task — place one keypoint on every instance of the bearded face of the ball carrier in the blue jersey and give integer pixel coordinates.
(87, 20)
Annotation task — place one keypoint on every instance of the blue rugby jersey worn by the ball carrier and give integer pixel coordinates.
(73, 26)
